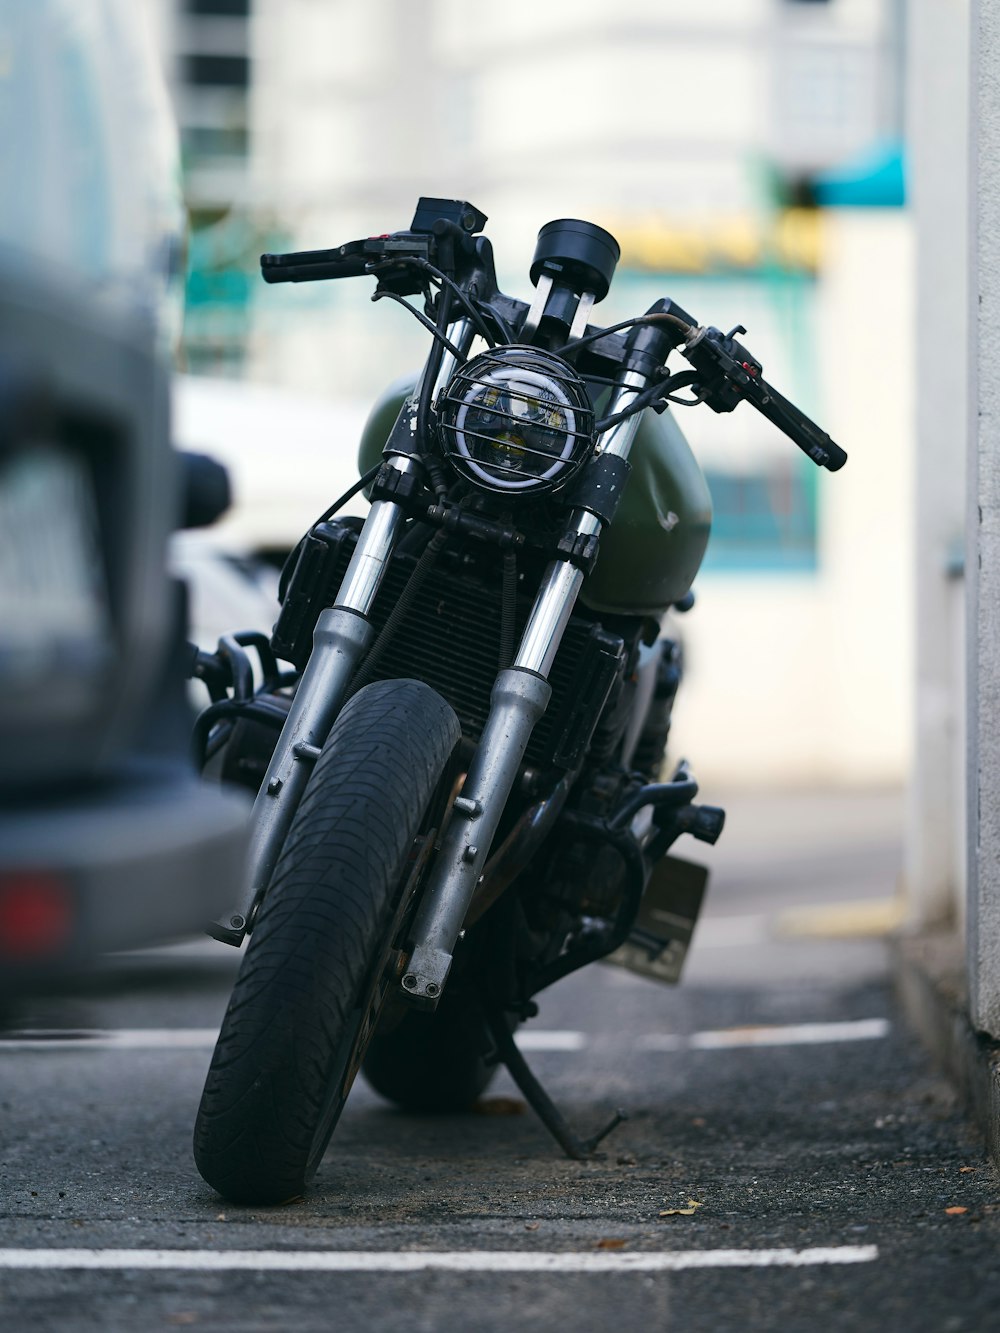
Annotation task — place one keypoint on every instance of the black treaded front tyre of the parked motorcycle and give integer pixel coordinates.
(319, 963)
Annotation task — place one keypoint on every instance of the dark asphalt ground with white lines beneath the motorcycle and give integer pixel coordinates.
(791, 1162)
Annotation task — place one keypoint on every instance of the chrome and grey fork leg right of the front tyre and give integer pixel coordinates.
(521, 696)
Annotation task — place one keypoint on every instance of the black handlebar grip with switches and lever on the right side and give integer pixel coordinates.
(730, 375)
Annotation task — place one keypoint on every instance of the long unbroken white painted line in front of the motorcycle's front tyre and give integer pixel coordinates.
(411, 1262)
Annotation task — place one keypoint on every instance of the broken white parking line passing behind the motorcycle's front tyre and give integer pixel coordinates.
(538, 1040)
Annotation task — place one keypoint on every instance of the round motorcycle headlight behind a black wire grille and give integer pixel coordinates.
(517, 419)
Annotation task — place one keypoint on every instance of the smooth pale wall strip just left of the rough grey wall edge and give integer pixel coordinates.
(939, 178)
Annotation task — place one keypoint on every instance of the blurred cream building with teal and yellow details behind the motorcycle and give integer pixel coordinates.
(703, 141)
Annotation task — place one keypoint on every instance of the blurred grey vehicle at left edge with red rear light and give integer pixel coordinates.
(109, 840)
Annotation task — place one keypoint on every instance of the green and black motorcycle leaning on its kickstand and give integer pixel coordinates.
(458, 768)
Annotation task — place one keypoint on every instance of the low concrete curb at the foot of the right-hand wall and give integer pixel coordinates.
(930, 978)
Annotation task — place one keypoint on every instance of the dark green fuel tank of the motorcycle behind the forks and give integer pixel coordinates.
(653, 551)
